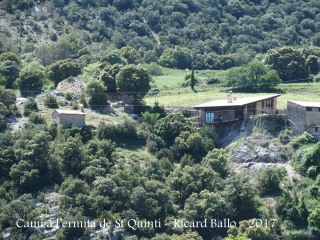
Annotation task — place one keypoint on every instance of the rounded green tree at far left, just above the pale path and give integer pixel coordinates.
(31, 78)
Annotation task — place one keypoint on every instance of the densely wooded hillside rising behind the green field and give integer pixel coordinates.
(212, 34)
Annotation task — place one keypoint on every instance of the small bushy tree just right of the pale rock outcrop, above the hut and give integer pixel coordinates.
(97, 93)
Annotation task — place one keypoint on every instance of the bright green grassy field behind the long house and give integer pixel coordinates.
(172, 94)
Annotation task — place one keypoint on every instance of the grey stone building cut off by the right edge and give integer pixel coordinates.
(304, 116)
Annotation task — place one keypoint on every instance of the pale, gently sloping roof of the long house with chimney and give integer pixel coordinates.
(238, 102)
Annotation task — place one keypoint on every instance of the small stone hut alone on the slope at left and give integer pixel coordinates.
(68, 117)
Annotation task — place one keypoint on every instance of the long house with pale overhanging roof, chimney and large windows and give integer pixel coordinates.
(232, 109)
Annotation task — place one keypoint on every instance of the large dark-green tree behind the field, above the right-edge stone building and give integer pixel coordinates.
(288, 62)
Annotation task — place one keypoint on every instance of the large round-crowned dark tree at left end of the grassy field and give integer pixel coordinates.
(134, 81)
